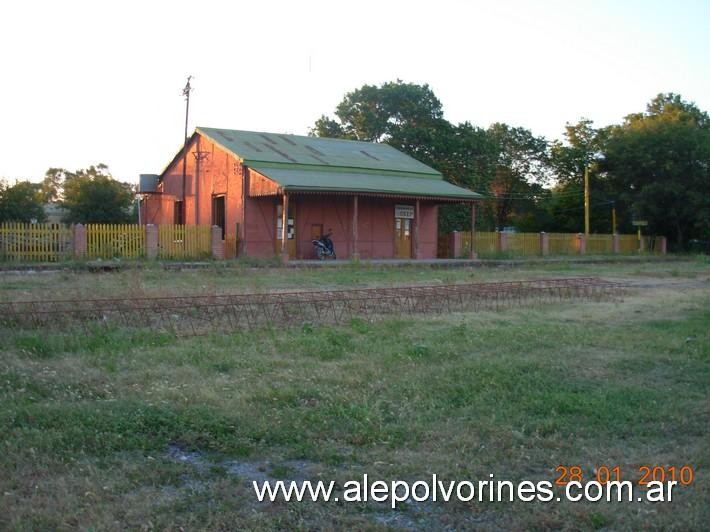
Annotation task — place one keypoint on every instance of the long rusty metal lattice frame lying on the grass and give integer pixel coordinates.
(197, 315)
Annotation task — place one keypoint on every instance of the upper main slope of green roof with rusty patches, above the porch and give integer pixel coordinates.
(254, 147)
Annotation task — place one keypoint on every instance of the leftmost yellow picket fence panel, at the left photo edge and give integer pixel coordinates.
(23, 242)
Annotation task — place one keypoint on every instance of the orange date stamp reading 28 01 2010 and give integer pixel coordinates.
(684, 475)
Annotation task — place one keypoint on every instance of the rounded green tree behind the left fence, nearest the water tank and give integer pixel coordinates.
(94, 196)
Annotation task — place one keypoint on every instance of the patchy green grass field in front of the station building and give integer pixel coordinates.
(119, 429)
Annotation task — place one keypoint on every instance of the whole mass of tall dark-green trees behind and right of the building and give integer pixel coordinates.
(654, 165)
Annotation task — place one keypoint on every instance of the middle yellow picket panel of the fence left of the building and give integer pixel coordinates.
(108, 241)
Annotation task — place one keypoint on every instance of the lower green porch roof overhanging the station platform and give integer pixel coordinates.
(309, 180)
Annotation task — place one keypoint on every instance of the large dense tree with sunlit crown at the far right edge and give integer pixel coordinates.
(659, 163)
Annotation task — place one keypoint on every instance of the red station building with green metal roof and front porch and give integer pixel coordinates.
(274, 193)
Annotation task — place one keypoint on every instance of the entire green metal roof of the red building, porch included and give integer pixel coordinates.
(317, 164)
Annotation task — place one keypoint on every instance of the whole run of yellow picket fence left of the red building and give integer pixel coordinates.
(20, 242)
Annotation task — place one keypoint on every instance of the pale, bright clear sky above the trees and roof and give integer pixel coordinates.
(87, 82)
